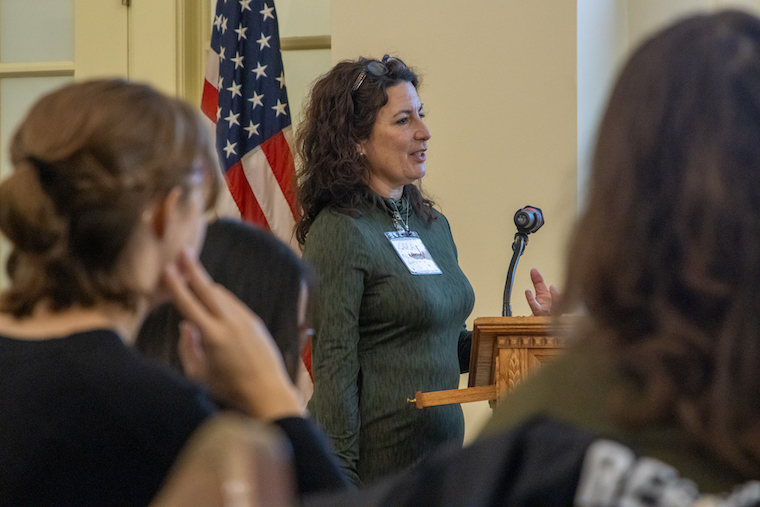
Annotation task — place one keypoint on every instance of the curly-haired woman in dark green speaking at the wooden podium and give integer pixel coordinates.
(393, 300)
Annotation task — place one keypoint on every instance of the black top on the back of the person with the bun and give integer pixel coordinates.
(85, 420)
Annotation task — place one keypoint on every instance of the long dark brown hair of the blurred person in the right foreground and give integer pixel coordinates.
(666, 257)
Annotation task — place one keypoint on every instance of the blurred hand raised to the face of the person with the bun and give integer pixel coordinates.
(226, 346)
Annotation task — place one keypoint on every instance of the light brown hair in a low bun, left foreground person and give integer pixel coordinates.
(88, 158)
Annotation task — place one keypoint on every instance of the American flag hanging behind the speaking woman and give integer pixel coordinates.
(245, 97)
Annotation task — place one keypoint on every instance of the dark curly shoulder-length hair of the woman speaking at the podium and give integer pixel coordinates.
(331, 172)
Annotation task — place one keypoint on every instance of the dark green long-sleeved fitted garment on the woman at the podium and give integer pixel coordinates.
(381, 335)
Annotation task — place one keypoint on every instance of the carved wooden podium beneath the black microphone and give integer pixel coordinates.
(505, 350)
